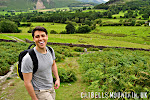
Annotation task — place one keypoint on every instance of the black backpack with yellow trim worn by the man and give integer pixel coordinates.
(33, 57)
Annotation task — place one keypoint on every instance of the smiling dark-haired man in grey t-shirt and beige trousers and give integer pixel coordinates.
(40, 84)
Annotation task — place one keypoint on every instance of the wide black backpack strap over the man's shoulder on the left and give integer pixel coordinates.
(34, 59)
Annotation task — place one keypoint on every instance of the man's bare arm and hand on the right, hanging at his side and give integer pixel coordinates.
(55, 72)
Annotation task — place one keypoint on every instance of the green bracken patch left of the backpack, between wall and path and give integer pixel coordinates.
(9, 55)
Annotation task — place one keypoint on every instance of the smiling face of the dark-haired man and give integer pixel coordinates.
(40, 39)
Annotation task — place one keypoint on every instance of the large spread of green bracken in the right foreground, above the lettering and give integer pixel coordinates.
(116, 70)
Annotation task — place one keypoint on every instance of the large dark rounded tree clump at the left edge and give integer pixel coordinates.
(8, 27)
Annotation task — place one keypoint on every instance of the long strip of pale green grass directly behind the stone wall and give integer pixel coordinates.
(92, 39)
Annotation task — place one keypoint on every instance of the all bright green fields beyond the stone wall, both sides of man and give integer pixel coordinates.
(123, 36)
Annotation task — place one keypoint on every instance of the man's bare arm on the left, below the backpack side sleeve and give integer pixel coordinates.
(27, 82)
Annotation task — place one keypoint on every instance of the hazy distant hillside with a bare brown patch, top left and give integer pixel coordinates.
(41, 4)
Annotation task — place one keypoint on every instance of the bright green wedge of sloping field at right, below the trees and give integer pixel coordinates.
(134, 34)
